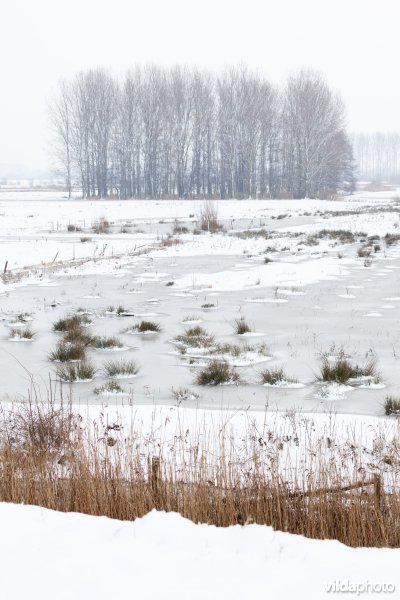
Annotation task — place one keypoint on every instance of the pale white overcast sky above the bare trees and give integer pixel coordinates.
(355, 43)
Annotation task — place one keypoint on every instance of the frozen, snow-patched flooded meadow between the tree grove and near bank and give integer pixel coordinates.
(314, 294)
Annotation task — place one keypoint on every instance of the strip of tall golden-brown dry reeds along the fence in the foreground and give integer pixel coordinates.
(47, 459)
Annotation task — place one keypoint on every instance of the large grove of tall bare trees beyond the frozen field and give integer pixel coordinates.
(180, 132)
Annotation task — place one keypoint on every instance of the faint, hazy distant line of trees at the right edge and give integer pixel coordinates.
(378, 156)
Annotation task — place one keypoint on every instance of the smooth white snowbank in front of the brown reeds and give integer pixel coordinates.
(49, 555)
